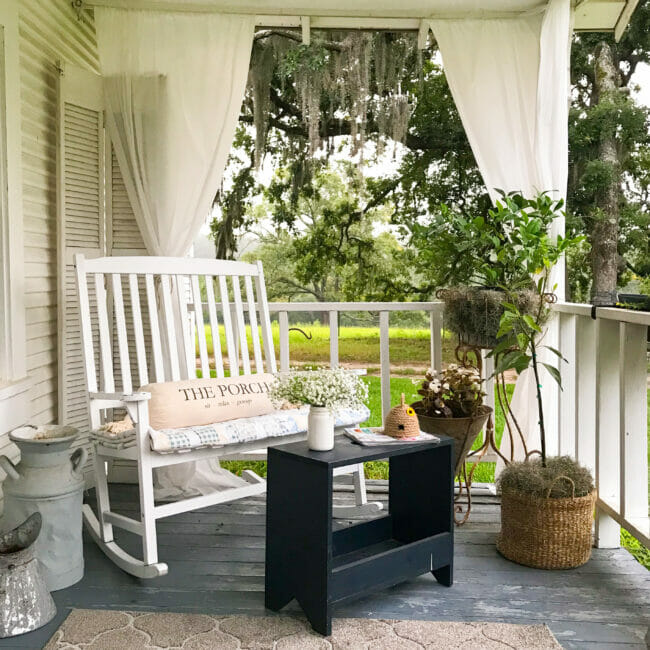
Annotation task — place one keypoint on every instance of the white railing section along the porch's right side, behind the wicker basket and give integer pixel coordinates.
(602, 414)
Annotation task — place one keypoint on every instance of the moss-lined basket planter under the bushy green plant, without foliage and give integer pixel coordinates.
(474, 313)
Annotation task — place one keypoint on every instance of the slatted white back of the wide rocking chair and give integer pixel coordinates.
(151, 314)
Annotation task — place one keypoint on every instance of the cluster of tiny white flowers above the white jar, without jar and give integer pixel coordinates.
(330, 388)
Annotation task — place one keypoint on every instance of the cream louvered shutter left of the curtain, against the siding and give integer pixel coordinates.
(81, 226)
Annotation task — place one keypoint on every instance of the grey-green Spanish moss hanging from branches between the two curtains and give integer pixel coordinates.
(345, 78)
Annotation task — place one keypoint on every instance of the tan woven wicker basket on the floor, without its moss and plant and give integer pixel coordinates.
(546, 533)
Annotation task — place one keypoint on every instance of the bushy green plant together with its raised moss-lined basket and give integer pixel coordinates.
(474, 258)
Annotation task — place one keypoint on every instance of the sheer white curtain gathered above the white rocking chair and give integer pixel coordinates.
(173, 86)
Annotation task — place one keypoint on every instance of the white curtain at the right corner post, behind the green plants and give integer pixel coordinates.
(510, 80)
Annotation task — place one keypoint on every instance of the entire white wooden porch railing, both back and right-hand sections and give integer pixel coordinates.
(601, 416)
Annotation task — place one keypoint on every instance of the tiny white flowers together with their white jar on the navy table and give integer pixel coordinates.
(324, 391)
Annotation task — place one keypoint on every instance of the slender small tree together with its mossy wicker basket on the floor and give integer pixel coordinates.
(546, 503)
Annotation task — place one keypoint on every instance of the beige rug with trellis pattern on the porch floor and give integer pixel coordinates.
(111, 630)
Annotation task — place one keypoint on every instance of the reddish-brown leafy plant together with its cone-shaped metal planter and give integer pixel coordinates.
(452, 405)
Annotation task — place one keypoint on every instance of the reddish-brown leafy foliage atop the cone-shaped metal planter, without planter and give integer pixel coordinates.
(453, 393)
